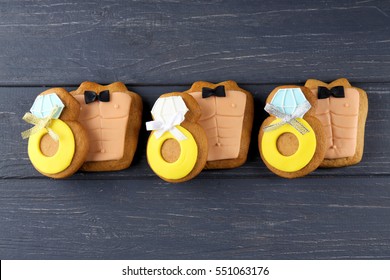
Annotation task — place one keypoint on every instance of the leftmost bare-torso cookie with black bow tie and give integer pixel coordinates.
(112, 116)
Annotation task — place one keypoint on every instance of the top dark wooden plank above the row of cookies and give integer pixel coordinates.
(177, 42)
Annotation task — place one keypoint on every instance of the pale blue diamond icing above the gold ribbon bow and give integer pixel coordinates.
(44, 104)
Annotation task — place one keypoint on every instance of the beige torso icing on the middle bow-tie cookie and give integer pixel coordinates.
(222, 119)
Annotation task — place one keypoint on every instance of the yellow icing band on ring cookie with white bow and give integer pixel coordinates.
(182, 166)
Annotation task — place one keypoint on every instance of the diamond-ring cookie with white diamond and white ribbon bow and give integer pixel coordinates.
(177, 147)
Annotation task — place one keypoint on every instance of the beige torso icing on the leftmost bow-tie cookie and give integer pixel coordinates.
(105, 123)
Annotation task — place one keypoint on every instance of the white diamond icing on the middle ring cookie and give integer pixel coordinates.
(167, 107)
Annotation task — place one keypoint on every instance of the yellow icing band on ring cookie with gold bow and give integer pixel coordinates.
(64, 155)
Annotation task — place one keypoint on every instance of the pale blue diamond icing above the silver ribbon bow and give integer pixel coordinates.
(288, 99)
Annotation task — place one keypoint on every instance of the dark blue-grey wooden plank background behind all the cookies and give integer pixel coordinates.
(162, 46)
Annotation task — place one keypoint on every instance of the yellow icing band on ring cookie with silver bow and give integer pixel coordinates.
(305, 152)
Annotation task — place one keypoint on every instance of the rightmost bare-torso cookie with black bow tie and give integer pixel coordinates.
(342, 110)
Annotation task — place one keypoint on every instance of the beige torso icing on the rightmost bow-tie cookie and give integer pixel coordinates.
(339, 117)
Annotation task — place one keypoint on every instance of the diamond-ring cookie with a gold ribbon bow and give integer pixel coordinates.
(58, 144)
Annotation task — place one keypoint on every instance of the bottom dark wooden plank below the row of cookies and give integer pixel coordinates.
(270, 218)
